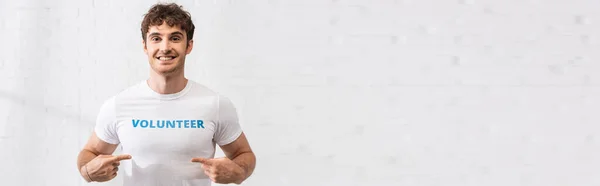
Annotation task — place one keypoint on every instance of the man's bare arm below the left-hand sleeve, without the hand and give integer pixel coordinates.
(93, 148)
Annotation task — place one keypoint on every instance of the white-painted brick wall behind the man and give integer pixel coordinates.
(381, 92)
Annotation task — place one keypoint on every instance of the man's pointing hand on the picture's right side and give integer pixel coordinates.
(221, 170)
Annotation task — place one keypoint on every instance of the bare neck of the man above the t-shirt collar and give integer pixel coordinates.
(167, 84)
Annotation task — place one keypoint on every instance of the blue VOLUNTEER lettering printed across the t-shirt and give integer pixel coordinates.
(142, 123)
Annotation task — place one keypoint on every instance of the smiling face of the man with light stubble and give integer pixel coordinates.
(166, 48)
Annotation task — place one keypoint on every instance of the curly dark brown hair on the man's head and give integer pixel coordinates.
(170, 13)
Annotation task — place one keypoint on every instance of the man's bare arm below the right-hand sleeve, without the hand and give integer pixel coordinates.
(239, 151)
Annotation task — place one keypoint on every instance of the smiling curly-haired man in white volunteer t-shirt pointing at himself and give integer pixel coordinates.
(167, 125)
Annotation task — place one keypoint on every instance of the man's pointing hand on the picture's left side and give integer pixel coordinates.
(103, 167)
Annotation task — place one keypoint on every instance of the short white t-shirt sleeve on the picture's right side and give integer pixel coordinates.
(228, 128)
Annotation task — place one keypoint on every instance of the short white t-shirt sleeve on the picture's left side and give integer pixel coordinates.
(106, 122)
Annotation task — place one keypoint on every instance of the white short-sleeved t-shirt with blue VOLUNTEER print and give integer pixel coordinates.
(163, 132)
